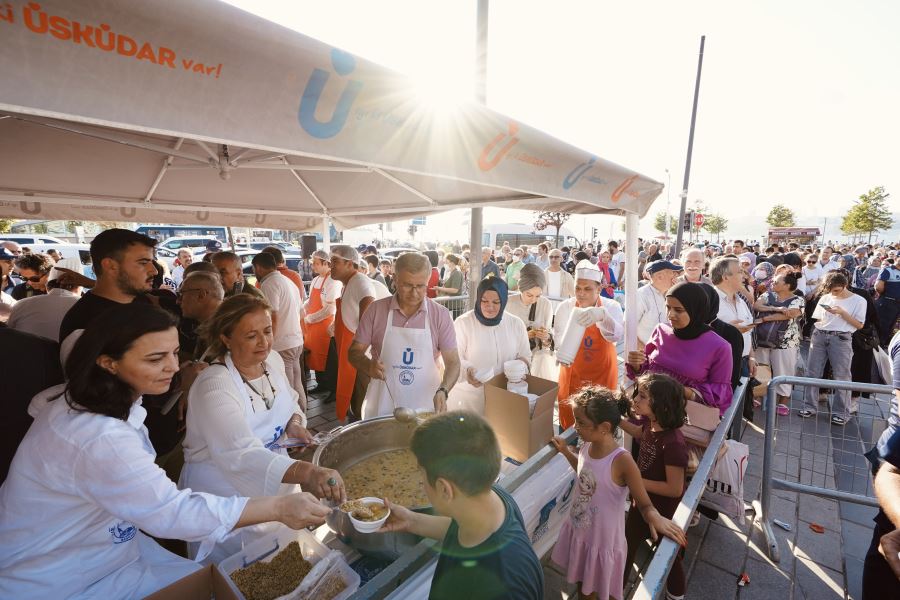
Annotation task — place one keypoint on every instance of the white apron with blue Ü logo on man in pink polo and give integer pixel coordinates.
(411, 374)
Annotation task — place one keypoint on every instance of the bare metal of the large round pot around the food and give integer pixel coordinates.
(350, 445)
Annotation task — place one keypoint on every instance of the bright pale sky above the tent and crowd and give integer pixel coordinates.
(798, 100)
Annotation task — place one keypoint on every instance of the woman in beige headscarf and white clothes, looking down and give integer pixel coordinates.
(537, 313)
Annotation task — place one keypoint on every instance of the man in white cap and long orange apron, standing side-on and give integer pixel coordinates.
(356, 297)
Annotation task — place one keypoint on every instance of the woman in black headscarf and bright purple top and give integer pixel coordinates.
(688, 349)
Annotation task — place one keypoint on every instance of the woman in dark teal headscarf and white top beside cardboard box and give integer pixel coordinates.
(486, 338)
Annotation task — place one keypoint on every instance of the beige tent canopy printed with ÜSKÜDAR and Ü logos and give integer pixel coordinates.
(171, 111)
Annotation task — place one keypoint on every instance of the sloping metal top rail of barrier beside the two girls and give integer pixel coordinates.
(653, 581)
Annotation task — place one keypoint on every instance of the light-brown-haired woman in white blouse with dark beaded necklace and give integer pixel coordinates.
(242, 412)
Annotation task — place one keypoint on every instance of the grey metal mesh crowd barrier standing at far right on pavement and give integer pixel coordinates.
(817, 461)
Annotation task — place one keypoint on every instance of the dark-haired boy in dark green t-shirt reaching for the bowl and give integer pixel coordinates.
(484, 553)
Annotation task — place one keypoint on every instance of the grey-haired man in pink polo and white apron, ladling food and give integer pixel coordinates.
(407, 335)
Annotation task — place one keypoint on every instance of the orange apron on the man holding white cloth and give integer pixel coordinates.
(595, 364)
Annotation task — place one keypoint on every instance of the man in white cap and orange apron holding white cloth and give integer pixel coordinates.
(595, 362)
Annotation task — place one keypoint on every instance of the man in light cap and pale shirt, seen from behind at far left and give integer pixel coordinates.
(42, 315)
